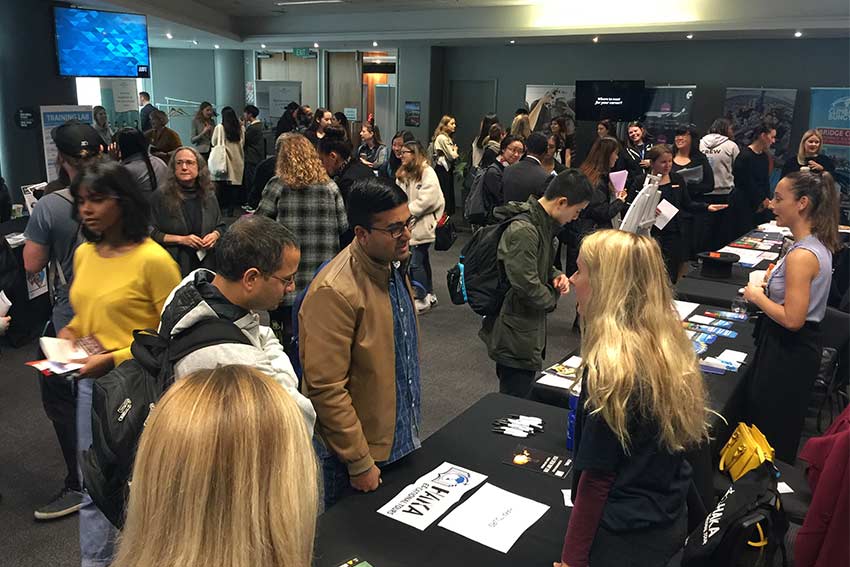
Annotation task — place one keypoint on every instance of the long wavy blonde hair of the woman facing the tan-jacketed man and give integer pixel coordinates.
(638, 359)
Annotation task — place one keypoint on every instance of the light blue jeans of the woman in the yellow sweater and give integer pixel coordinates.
(97, 534)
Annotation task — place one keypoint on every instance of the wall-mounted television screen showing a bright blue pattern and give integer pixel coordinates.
(91, 43)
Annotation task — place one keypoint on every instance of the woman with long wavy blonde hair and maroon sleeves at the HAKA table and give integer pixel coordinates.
(642, 404)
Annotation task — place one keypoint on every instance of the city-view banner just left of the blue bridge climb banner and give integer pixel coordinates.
(746, 108)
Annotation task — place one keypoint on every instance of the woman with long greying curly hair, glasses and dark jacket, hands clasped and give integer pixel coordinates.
(186, 217)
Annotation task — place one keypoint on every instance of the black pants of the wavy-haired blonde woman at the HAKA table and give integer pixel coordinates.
(650, 547)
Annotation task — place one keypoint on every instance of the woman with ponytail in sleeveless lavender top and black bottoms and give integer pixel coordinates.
(793, 298)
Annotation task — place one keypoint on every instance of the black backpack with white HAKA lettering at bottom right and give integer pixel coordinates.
(746, 528)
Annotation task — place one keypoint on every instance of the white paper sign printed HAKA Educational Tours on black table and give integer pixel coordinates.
(421, 503)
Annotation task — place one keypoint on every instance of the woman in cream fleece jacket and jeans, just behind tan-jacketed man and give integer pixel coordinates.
(427, 204)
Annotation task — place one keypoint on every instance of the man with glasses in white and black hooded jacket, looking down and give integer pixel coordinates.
(257, 259)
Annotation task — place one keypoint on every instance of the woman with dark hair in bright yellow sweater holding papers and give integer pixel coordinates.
(121, 281)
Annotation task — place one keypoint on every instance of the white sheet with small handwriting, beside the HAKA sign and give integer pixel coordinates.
(494, 517)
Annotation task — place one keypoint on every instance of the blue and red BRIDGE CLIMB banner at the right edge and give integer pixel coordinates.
(830, 115)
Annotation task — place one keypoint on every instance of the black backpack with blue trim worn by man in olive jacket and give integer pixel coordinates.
(479, 277)
